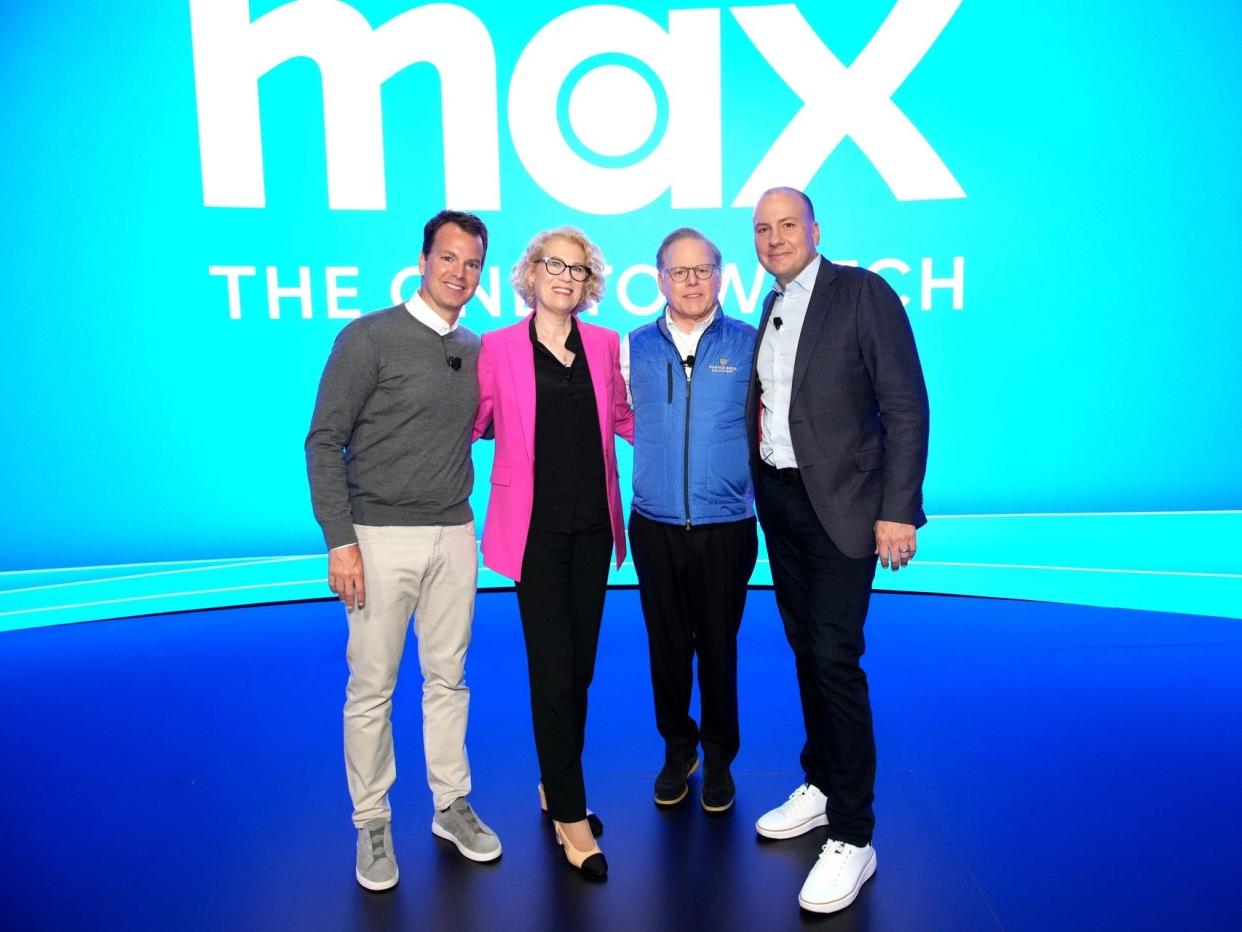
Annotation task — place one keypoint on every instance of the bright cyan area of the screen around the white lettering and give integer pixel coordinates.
(1092, 370)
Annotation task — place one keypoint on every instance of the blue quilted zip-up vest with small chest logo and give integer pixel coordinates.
(690, 442)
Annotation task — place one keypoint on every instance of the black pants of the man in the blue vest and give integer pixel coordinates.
(694, 590)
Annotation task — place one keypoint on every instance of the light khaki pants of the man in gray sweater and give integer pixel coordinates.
(432, 575)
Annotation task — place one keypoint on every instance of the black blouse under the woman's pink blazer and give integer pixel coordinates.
(569, 459)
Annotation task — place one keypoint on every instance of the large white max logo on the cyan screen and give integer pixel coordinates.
(232, 53)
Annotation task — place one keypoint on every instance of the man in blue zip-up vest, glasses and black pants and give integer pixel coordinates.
(692, 530)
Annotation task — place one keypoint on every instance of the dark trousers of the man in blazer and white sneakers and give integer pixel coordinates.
(823, 597)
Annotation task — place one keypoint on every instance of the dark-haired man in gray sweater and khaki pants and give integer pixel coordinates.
(388, 455)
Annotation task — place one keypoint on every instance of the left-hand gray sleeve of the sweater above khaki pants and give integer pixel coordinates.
(348, 381)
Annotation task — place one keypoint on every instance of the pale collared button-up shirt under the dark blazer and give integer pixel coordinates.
(778, 350)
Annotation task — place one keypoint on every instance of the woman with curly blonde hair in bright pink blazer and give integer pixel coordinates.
(552, 390)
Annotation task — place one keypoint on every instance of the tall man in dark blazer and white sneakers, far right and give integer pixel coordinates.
(838, 414)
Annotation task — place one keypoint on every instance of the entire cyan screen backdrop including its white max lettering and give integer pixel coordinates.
(199, 194)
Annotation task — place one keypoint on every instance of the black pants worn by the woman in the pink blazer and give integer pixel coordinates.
(561, 598)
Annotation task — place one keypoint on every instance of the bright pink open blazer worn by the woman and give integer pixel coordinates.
(507, 402)
